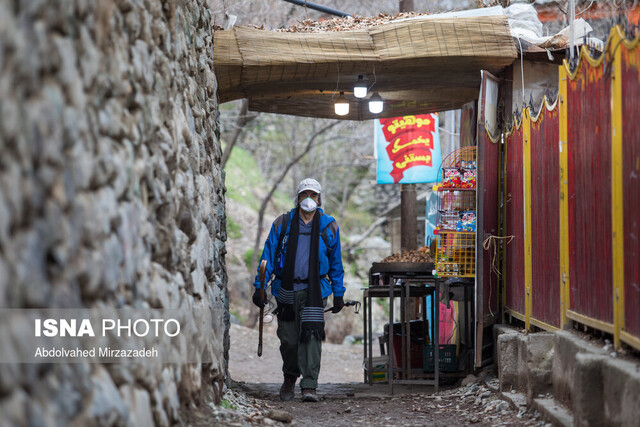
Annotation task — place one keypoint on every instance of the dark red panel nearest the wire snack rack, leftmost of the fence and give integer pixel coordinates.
(489, 192)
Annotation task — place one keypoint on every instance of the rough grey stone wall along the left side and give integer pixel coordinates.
(111, 194)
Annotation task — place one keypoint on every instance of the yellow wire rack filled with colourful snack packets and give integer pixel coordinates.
(456, 215)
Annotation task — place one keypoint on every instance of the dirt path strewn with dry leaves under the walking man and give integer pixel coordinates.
(345, 400)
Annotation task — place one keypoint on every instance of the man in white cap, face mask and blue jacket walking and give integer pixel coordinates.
(303, 253)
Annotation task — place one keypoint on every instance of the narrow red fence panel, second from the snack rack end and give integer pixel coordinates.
(514, 280)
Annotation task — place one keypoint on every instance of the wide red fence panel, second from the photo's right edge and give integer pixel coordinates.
(589, 186)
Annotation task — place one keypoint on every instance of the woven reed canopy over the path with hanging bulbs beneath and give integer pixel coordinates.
(417, 66)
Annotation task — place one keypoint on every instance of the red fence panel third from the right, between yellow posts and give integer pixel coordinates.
(545, 217)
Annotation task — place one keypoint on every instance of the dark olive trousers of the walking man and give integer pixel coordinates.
(300, 358)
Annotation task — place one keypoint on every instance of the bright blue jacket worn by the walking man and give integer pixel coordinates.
(330, 260)
